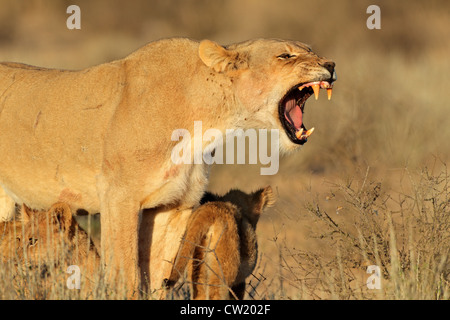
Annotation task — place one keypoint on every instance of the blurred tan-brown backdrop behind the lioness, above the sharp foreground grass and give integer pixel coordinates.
(389, 110)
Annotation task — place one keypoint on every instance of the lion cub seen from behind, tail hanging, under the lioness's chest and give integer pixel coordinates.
(220, 244)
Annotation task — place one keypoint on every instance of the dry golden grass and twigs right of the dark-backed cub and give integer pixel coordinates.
(320, 246)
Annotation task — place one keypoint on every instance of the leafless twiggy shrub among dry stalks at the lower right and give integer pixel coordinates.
(406, 234)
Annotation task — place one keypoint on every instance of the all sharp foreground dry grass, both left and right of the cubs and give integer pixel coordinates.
(405, 230)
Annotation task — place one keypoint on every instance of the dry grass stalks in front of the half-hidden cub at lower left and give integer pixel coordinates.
(38, 268)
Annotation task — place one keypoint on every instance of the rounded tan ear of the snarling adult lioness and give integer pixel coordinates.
(217, 57)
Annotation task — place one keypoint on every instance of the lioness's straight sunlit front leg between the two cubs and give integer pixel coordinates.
(119, 217)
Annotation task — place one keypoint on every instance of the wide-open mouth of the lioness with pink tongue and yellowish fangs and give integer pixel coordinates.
(292, 108)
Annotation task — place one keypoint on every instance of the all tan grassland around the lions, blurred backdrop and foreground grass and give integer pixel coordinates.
(389, 113)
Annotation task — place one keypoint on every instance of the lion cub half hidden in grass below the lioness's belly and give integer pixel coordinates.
(49, 242)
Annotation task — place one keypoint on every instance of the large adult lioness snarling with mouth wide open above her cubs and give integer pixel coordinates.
(101, 138)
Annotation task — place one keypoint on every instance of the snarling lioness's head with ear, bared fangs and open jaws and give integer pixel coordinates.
(273, 79)
